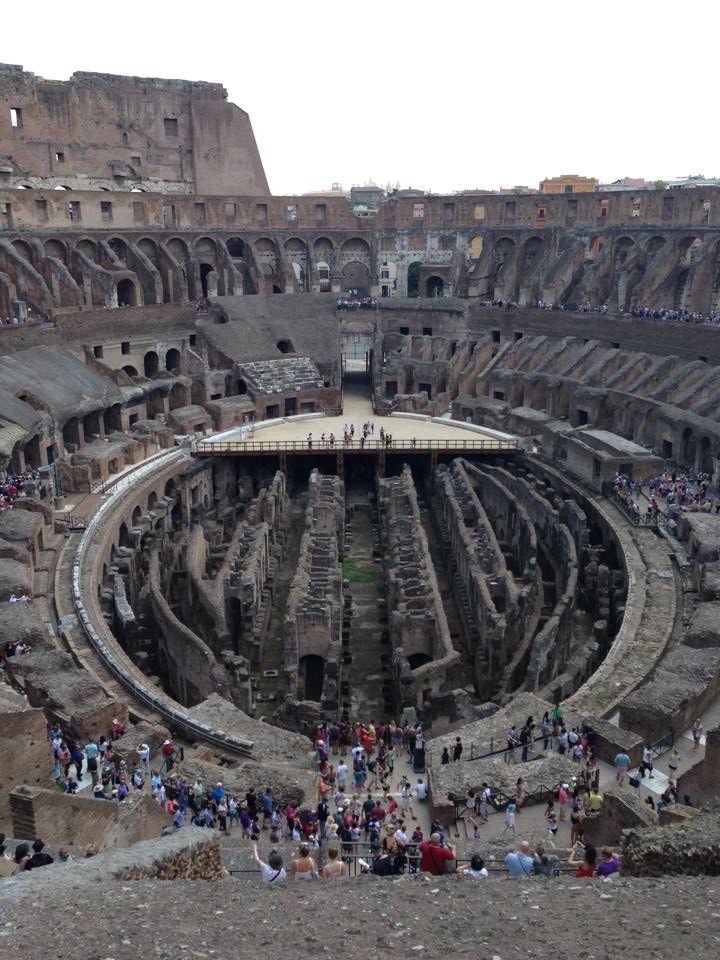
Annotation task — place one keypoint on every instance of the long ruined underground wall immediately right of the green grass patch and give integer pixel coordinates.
(419, 634)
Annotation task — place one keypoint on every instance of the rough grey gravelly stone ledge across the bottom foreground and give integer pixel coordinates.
(496, 919)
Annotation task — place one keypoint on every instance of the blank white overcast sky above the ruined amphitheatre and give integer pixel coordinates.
(440, 96)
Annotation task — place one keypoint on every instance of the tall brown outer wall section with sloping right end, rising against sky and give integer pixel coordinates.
(101, 131)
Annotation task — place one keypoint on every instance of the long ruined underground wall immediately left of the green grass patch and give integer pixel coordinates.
(313, 618)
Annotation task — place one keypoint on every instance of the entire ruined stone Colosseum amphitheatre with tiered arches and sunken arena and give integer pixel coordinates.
(426, 478)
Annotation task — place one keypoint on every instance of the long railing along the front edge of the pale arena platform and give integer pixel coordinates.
(213, 448)
